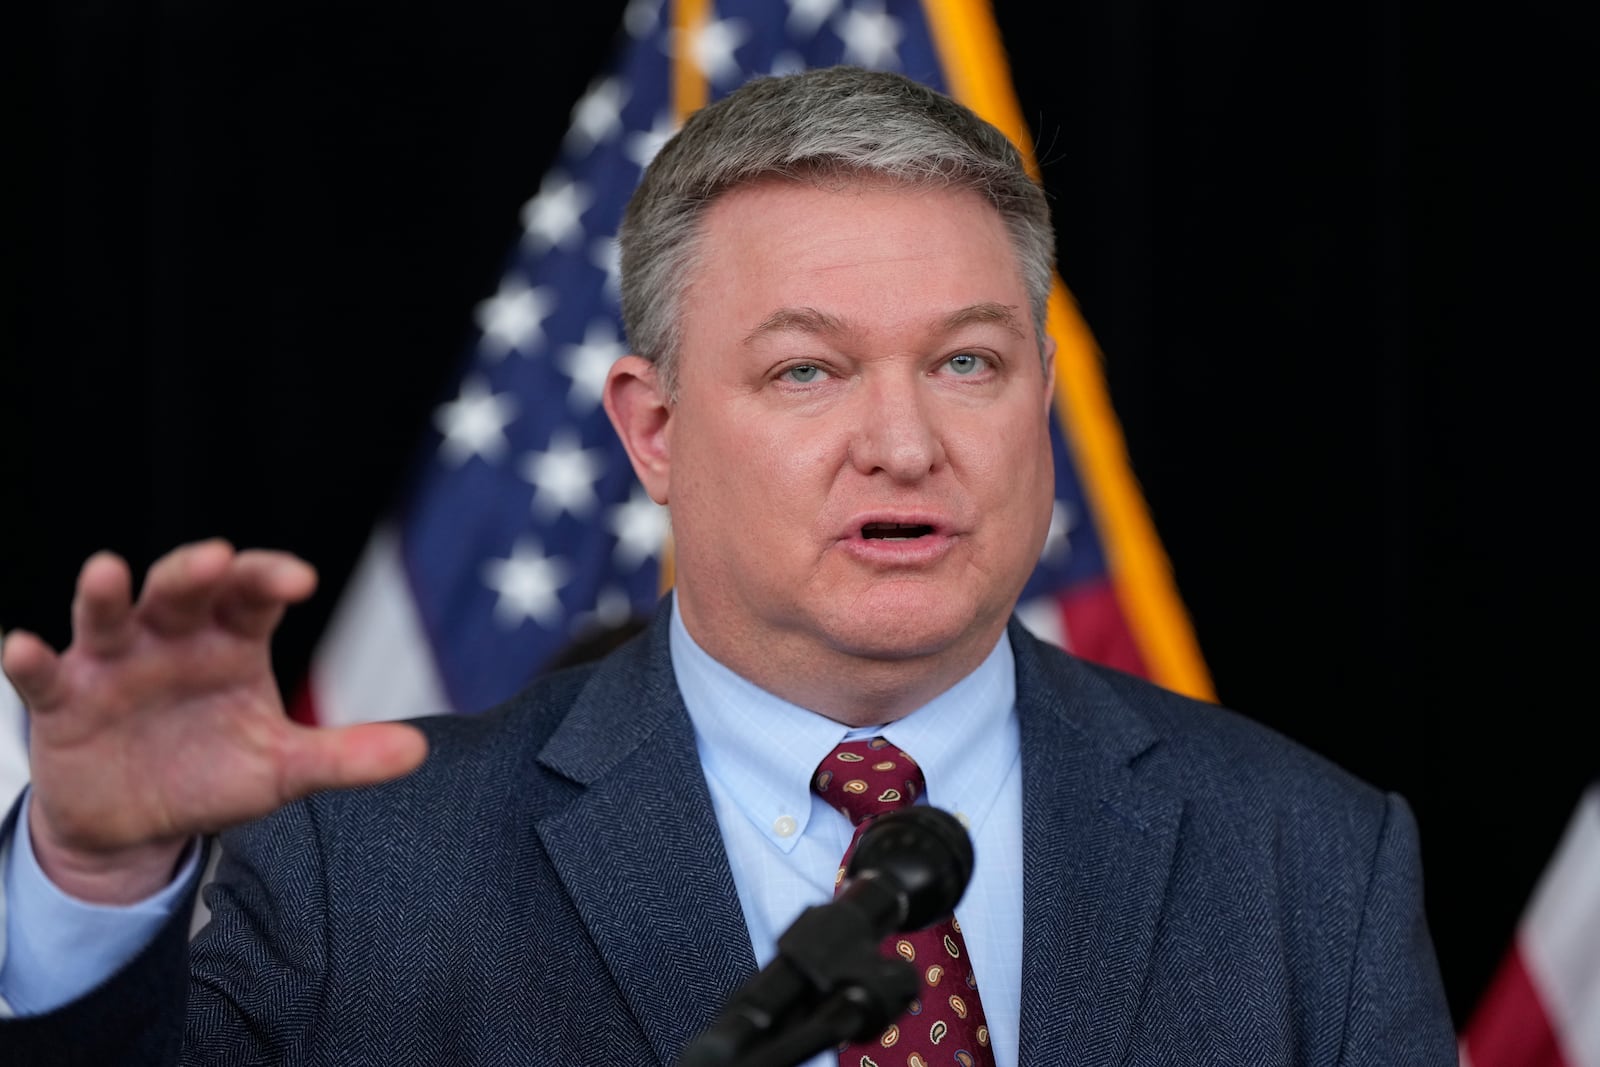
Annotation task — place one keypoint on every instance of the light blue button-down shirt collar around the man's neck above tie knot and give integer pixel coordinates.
(764, 749)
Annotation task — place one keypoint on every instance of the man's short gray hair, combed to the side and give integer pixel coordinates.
(834, 126)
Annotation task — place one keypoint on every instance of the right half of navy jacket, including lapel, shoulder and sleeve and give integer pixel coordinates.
(1202, 890)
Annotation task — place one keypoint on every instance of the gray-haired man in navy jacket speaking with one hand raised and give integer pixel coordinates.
(836, 290)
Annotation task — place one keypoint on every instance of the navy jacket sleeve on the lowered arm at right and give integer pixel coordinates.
(1398, 1010)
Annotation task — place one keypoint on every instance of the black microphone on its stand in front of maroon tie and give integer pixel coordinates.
(910, 871)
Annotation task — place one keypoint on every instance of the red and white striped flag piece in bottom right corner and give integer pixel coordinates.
(1543, 1009)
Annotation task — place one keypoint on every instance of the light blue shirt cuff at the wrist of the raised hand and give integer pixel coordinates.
(57, 948)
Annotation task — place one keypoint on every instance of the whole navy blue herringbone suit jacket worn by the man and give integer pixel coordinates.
(551, 889)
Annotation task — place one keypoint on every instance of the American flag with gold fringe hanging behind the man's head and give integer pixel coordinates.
(526, 527)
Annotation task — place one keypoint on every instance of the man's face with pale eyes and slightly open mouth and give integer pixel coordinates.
(858, 460)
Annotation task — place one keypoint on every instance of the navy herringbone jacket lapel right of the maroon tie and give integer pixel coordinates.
(1098, 842)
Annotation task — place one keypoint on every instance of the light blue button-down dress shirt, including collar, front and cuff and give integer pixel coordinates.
(783, 842)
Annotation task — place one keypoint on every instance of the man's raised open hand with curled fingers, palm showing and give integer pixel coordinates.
(162, 719)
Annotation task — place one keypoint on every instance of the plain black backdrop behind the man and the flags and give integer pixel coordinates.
(1335, 257)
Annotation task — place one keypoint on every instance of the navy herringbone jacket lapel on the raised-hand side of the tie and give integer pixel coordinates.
(639, 849)
